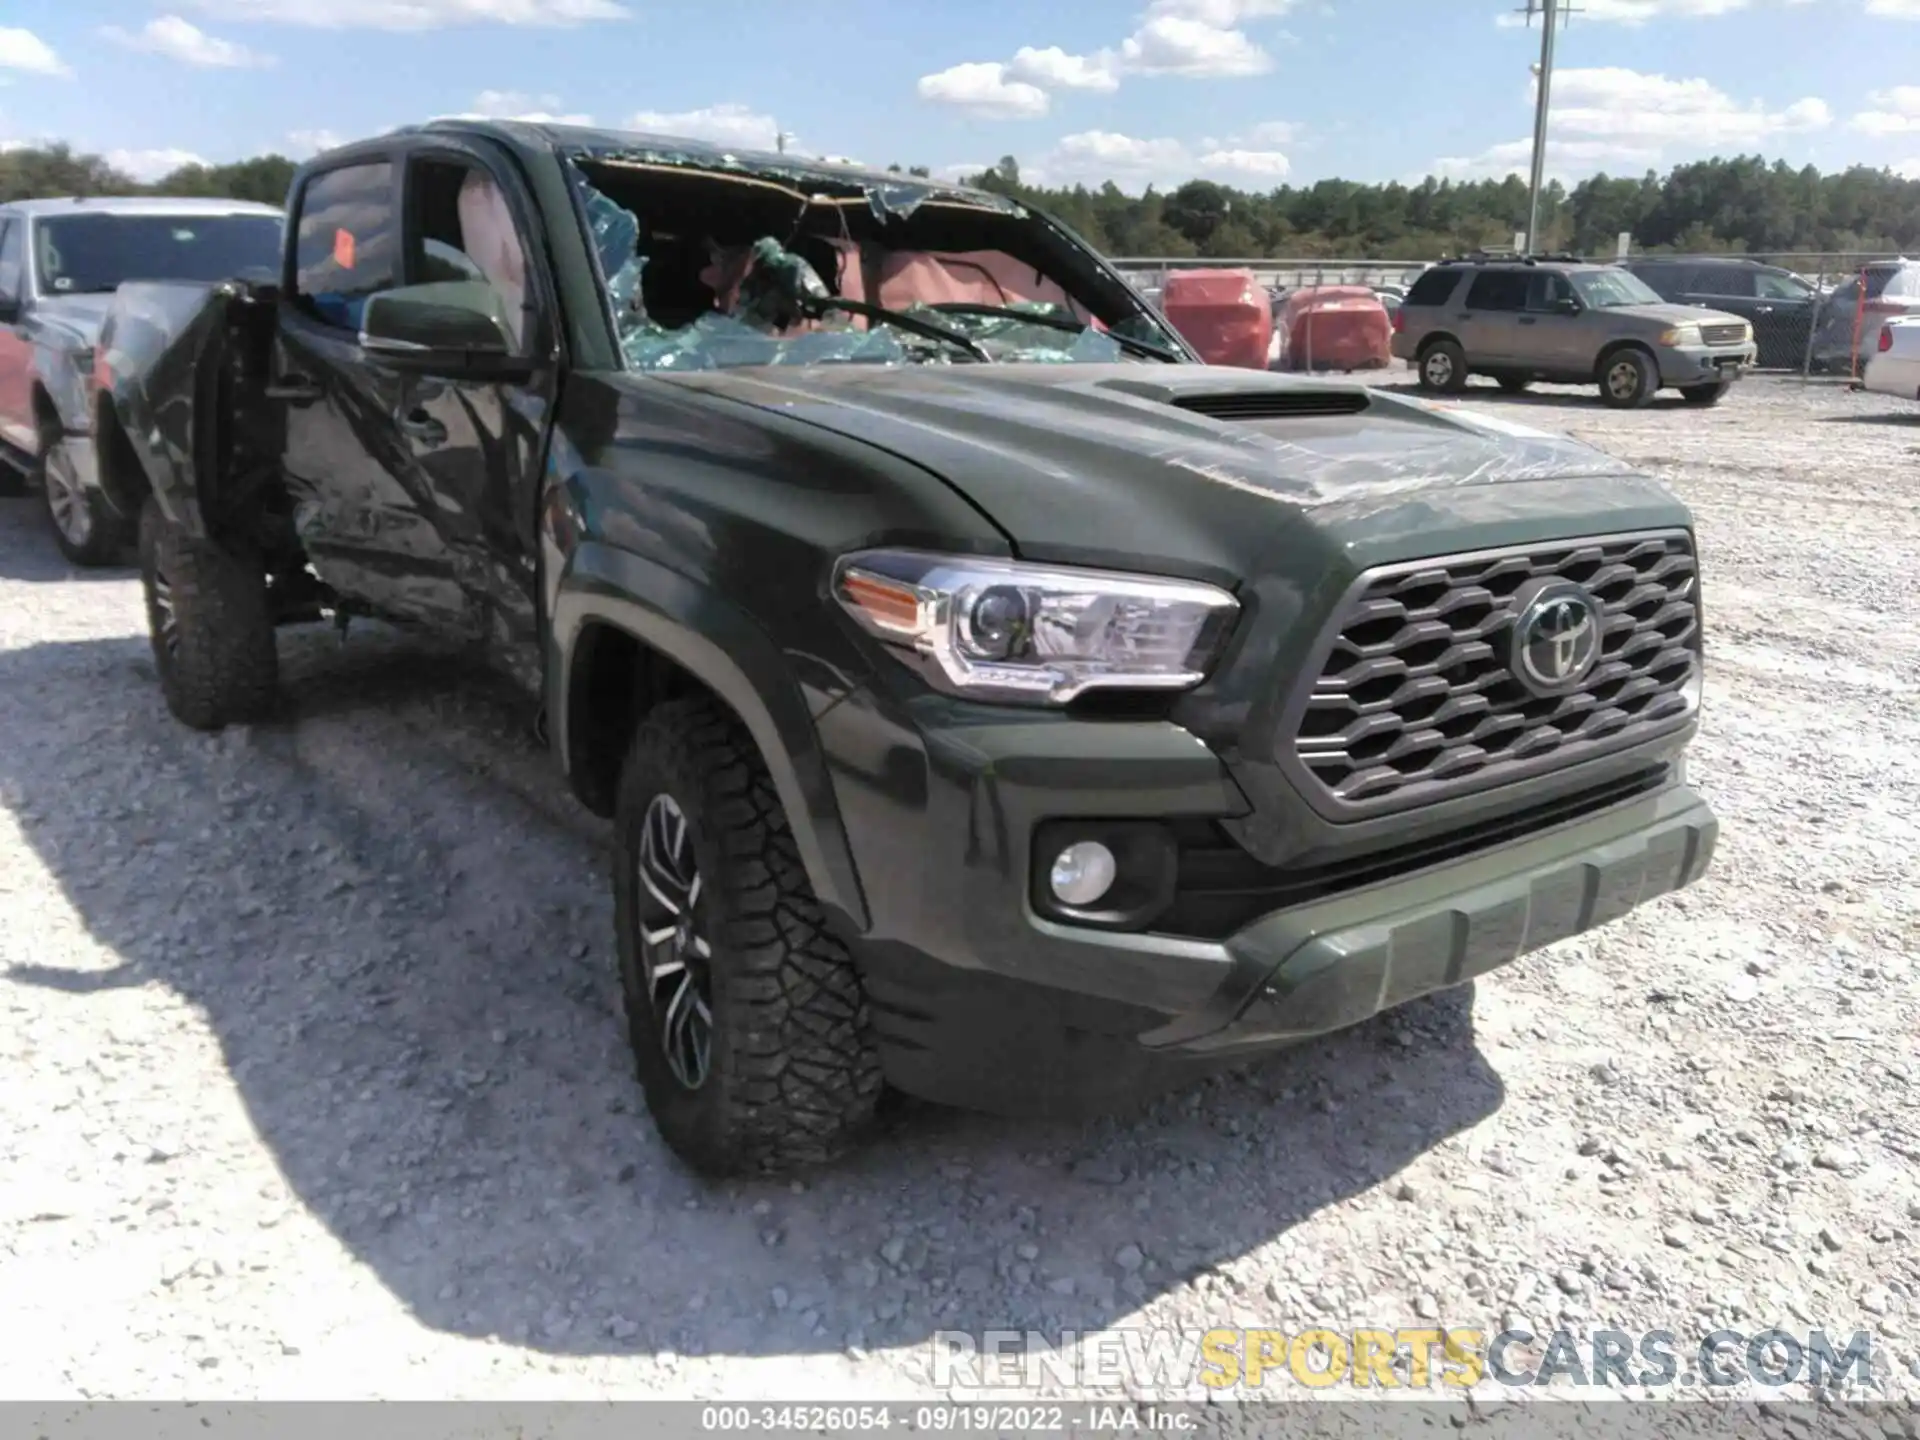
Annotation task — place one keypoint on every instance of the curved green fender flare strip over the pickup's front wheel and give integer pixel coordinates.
(731, 654)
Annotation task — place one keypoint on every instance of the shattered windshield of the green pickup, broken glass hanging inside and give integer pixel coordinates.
(715, 272)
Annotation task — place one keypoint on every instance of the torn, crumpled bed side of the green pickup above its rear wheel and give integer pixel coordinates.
(181, 377)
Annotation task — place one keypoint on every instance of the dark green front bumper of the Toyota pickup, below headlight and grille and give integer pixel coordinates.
(984, 1003)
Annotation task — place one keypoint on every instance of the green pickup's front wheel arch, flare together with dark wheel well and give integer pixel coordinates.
(629, 635)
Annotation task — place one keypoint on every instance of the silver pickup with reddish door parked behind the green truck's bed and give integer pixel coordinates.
(60, 264)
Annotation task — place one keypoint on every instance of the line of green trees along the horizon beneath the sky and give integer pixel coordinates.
(1742, 204)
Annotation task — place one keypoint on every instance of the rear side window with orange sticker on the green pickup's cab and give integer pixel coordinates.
(347, 243)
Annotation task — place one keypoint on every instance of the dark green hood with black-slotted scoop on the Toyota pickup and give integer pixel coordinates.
(1205, 471)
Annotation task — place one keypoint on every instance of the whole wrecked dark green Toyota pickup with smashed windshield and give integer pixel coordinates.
(988, 696)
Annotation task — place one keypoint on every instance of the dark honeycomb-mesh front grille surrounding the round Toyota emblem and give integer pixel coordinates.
(1414, 698)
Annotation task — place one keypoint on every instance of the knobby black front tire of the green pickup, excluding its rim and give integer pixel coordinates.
(794, 1076)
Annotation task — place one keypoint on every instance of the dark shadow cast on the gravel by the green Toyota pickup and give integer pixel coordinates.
(396, 926)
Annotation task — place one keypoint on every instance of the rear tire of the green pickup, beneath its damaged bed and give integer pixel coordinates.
(220, 665)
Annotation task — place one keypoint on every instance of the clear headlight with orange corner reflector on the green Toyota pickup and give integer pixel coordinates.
(1034, 633)
